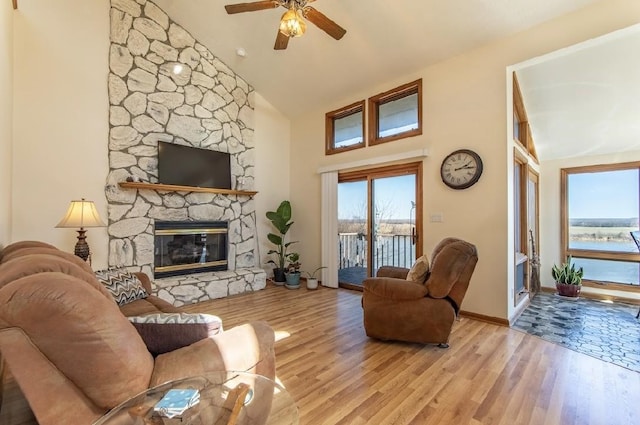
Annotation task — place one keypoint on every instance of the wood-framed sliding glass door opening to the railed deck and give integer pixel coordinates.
(379, 220)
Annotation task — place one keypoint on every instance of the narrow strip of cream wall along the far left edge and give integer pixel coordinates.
(6, 118)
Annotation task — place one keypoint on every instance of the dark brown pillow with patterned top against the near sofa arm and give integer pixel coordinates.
(164, 332)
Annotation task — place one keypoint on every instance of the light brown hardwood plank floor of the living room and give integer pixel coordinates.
(489, 375)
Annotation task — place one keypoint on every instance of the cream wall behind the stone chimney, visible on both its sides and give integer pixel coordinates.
(61, 122)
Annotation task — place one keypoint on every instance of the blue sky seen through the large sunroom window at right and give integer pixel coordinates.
(610, 194)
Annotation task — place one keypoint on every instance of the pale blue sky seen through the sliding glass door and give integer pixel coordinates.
(393, 198)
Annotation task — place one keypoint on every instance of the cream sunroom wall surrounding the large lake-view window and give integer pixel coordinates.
(550, 226)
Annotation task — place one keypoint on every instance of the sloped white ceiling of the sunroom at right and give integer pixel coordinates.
(586, 100)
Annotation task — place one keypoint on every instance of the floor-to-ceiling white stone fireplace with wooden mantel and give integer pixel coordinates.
(166, 86)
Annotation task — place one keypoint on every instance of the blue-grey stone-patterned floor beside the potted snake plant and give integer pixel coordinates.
(609, 332)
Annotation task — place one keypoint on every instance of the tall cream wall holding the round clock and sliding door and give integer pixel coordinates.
(465, 102)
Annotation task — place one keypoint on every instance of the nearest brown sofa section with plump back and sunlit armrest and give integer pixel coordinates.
(75, 355)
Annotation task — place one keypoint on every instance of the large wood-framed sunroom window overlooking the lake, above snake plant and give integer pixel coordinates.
(601, 206)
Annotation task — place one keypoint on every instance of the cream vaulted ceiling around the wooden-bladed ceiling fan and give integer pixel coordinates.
(385, 40)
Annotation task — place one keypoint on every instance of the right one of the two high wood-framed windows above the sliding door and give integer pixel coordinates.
(396, 114)
